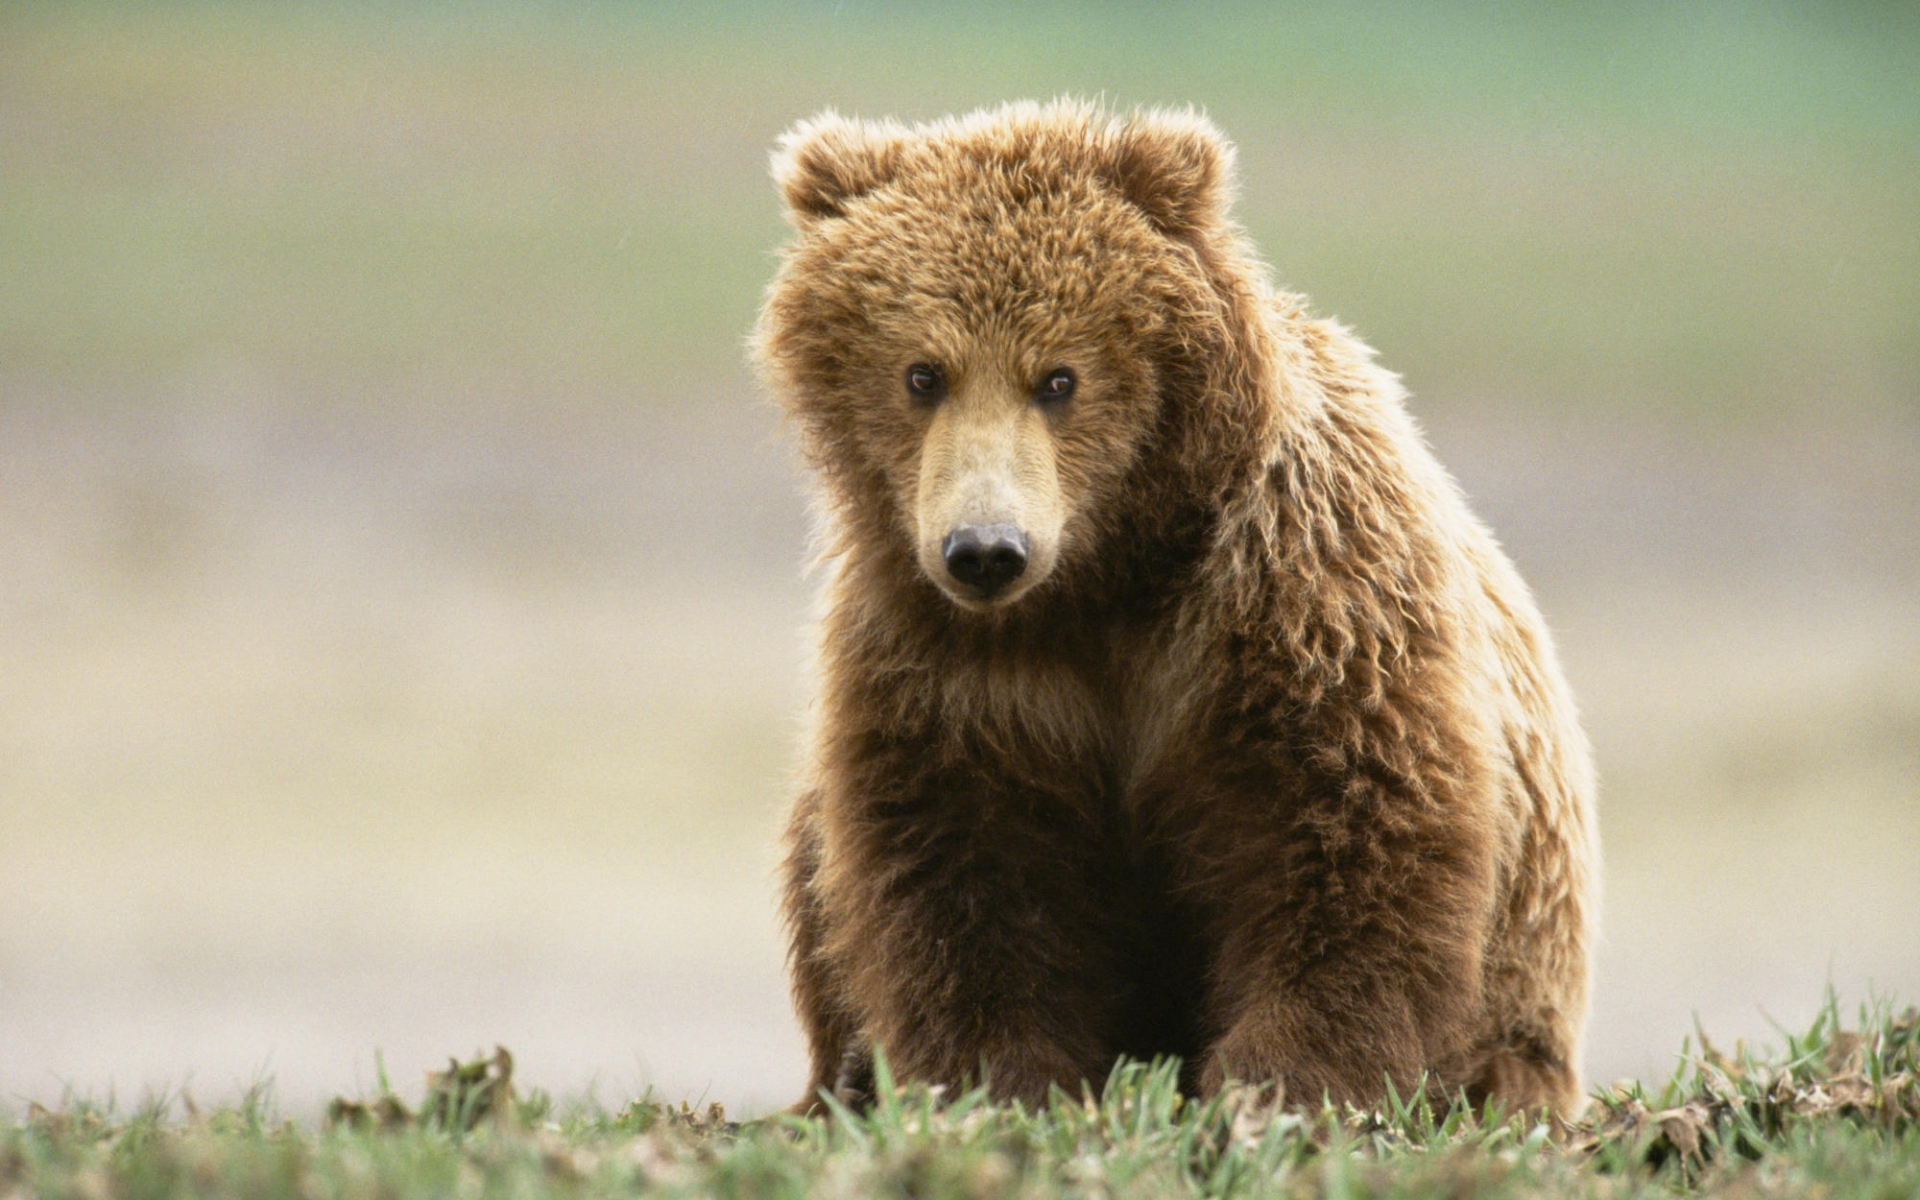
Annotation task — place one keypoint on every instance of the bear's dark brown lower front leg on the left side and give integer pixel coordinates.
(969, 930)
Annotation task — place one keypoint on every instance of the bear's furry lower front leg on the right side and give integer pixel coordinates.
(1349, 942)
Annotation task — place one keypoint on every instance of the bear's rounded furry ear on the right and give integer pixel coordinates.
(1176, 166)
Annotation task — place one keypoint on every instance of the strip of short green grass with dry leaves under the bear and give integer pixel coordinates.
(1835, 1113)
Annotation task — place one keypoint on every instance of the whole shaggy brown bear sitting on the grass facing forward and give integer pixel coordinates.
(1170, 700)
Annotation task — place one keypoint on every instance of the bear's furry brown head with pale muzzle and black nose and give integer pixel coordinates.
(982, 329)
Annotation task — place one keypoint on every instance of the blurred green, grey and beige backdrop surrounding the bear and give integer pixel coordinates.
(402, 606)
